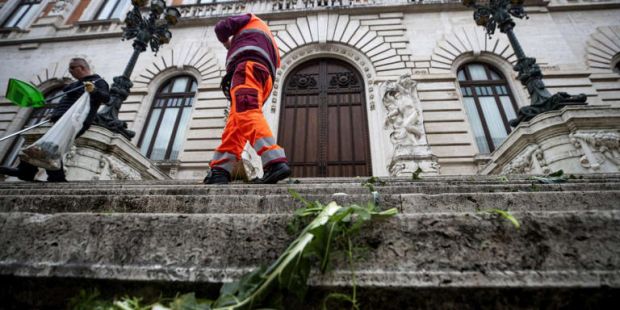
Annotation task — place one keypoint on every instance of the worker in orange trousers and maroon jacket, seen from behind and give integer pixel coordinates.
(252, 60)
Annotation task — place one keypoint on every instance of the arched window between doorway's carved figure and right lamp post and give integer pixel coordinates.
(488, 102)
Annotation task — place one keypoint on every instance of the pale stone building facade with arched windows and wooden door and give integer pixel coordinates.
(366, 87)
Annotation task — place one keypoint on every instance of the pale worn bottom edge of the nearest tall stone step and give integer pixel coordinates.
(338, 278)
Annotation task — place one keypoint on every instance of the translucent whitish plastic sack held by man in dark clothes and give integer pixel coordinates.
(48, 151)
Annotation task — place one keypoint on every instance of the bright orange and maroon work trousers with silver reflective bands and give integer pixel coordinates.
(250, 87)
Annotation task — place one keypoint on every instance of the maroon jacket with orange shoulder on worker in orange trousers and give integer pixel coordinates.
(229, 27)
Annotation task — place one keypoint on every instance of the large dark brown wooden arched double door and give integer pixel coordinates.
(323, 123)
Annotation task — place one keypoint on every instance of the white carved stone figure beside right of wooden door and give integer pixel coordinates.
(404, 120)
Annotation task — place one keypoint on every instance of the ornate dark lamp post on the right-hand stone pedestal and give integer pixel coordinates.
(492, 14)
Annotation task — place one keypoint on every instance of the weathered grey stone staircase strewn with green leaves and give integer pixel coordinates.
(439, 252)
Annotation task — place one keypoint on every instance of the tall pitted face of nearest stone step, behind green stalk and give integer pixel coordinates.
(453, 249)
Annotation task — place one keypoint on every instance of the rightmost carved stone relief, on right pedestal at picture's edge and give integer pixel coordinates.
(598, 147)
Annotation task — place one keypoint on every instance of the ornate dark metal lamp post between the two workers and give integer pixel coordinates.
(147, 30)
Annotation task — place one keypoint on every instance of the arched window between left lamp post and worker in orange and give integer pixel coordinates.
(167, 121)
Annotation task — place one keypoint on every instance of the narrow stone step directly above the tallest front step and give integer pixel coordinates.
(286, 204)
